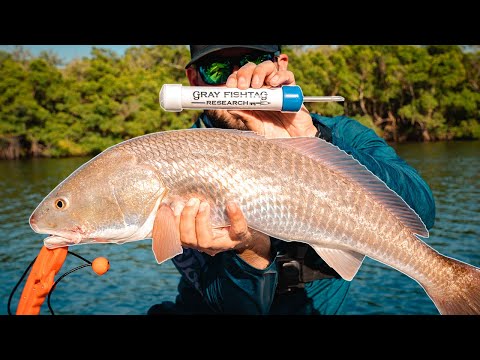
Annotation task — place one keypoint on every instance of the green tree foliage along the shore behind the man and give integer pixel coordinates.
(80, 108)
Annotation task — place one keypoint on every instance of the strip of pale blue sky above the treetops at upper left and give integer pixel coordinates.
(67, 52)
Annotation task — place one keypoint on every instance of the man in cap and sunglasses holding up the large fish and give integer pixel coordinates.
(236, 270)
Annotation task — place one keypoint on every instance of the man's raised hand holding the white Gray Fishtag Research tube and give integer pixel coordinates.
(272, 124)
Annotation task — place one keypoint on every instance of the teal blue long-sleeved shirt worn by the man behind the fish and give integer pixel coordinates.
(227, 284)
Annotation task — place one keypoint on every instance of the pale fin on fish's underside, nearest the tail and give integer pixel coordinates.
(345, 263)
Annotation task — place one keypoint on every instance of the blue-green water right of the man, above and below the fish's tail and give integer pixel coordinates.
(452, 171)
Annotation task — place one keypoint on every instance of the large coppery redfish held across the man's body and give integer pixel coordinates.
(295, 189)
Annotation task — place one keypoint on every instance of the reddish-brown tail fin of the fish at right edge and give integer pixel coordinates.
(461, 295)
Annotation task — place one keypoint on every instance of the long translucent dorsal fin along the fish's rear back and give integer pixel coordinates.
(353, 171)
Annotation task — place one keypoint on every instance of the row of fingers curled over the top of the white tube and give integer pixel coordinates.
(257, 76)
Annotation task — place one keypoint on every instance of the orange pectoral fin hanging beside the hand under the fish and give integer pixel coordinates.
(165, 235)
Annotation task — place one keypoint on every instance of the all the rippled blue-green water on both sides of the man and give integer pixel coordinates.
(135, 281)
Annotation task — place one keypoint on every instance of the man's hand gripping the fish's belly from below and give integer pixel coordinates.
(196, 232)
